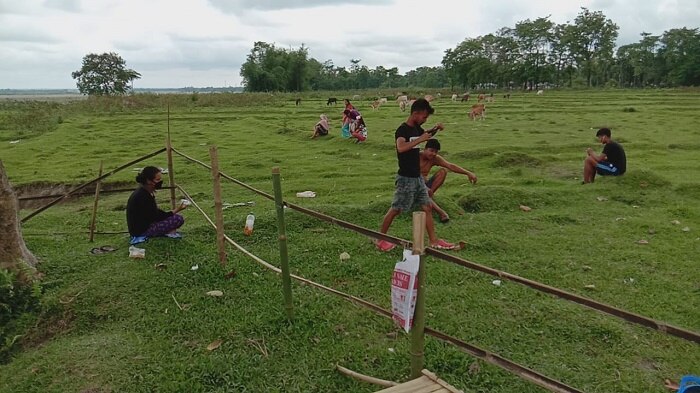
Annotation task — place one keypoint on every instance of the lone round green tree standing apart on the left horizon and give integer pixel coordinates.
(104, 74)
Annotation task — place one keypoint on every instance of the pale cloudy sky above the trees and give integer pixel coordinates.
(203, 43)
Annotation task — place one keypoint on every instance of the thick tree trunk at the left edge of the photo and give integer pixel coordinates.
(14, 255)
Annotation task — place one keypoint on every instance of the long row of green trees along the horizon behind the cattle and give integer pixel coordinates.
(531, 54)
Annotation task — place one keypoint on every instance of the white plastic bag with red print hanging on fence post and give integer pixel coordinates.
(404, 289)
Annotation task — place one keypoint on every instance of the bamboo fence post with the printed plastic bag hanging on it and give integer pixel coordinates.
(418, 330)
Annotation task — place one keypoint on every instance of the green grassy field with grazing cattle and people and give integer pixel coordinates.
(108, 323)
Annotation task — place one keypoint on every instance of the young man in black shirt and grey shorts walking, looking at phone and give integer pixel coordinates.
(410, 186)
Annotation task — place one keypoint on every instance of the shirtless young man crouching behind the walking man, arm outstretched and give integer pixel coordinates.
(429, 157)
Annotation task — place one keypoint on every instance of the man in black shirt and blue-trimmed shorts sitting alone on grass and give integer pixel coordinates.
(611, 162)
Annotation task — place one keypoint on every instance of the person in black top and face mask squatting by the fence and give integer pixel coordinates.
(143, 216)
